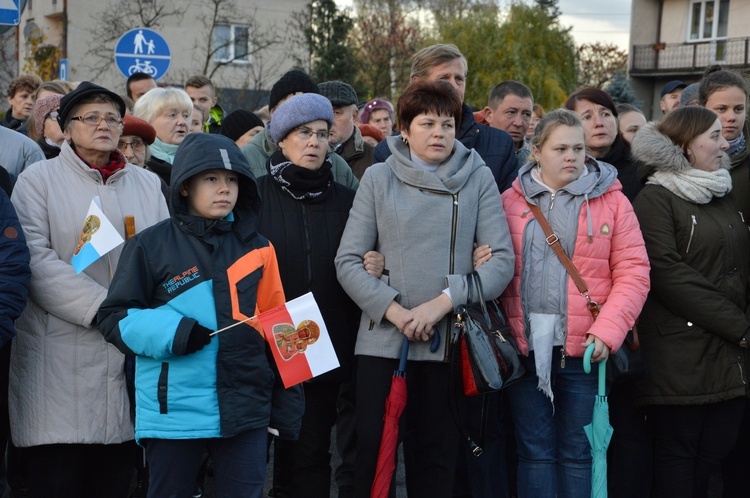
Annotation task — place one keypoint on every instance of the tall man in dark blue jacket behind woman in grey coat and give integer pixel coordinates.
(445, 62)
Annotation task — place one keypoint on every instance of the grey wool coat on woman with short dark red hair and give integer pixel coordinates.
(425, 224)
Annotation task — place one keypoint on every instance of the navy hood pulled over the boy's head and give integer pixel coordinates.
(200, 152)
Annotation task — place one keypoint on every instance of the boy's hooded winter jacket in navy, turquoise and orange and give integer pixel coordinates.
(191, 269)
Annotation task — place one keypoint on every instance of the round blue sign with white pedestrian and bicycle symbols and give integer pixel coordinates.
(142, 50)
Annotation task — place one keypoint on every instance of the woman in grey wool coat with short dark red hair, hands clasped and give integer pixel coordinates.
(423, 209)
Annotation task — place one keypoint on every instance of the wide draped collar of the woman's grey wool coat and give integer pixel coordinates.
(451, 175)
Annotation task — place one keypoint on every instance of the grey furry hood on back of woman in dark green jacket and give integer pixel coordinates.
(656, 152)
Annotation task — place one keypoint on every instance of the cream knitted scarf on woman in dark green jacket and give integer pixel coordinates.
(694, 185)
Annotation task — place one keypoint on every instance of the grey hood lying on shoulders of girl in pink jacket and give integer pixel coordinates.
(600, 178)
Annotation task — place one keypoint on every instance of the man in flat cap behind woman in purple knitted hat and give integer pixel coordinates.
(346, 139)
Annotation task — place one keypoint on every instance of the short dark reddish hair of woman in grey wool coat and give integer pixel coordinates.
(428, 96)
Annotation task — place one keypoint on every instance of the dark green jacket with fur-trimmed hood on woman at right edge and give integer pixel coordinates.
(696, 312)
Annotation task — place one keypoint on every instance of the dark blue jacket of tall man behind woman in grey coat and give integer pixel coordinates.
(494, 146)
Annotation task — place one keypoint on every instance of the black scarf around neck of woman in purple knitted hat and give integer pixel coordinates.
(301, 183)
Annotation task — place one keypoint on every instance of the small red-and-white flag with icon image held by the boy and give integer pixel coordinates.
(299, 340)
